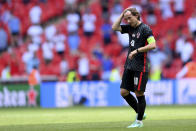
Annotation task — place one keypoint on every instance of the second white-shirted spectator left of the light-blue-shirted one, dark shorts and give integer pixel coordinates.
(47, 49)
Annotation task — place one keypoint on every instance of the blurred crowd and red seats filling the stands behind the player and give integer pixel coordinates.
(73, 40)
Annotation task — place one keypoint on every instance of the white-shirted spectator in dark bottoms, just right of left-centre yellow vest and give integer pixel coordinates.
(83, 67)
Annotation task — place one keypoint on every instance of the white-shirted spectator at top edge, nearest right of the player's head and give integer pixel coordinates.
(166, 9)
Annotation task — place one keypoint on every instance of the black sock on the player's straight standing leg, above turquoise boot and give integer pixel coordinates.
(141, 107)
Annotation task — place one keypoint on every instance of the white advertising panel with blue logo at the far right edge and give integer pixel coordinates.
(186, 91)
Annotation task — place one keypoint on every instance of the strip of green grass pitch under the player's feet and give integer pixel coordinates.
(159, 118)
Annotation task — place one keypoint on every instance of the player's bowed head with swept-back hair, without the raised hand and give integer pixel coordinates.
(132, 17)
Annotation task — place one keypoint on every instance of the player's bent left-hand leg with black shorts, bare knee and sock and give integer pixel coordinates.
(126, 87)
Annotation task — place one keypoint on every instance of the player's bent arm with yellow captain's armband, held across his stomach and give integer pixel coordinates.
(151, 45)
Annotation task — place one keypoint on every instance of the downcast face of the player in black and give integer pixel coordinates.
(130, 19)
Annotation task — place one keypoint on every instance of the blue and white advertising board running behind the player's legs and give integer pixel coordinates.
(62, 94)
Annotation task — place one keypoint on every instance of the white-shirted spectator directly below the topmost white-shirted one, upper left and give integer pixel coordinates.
(35, 31)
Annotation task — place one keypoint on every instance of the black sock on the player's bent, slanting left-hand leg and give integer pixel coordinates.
(131, 101)
